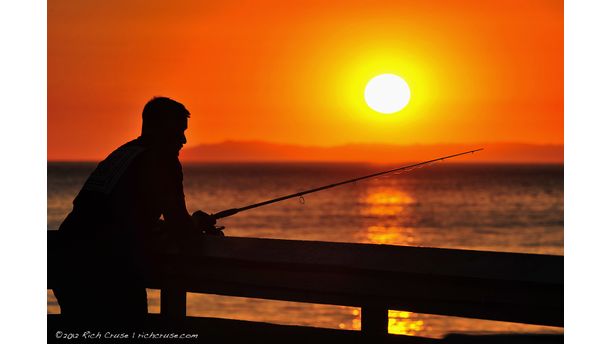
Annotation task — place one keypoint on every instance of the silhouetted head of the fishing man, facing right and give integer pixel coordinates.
(165, 121)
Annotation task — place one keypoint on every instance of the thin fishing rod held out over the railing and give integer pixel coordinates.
(233, 211)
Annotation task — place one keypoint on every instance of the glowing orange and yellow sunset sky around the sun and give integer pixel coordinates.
(294, 71)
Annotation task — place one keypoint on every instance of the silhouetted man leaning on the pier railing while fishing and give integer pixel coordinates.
(115, 216)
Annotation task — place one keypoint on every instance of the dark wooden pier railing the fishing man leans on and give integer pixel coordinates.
(513, 287)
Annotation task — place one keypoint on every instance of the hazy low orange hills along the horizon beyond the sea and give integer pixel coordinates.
(250, 151)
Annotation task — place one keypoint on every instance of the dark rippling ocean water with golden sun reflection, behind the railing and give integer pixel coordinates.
(513, 208)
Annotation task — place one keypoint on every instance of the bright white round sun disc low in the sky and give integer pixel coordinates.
(387, 93)
